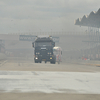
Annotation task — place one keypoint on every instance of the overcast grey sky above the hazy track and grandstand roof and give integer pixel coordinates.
(18, 16)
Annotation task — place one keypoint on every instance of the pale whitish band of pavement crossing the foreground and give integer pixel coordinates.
(50, 82)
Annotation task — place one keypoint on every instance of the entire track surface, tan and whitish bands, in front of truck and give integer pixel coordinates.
(57, 82)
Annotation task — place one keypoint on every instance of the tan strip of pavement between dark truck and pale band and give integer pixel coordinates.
(22, 65)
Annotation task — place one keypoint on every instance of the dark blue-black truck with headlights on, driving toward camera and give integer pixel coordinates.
(43, 50)
